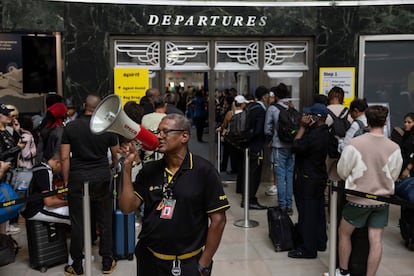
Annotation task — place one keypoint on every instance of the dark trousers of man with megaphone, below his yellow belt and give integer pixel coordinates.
(148, 264)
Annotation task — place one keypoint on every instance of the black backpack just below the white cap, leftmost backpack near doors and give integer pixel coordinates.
(238, 128)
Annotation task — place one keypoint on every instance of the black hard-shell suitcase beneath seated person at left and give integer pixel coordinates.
(47, 244)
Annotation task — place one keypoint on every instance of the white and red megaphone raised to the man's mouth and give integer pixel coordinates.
(109, 116)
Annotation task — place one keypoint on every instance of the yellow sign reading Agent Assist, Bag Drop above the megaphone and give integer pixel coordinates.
(130, 83)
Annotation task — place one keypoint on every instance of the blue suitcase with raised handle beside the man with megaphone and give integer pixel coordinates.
(124, 225)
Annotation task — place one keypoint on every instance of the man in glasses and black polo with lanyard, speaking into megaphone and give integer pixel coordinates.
(182, 192)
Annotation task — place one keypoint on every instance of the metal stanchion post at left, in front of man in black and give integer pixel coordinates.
(87, 229)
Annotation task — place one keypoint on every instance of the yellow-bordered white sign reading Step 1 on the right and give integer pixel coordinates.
(343, 77)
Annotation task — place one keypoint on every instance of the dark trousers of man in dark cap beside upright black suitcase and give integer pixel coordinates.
(312, 224)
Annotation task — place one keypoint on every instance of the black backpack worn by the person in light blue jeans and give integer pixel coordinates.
(288, 123)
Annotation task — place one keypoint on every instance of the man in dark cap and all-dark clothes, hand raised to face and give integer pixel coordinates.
(310, 147)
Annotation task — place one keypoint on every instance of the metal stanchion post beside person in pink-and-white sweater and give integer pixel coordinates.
(333, 227)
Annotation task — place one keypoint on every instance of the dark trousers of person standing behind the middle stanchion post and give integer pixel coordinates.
(255, 175)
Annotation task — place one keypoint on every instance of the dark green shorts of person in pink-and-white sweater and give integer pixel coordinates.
(365, 215)
